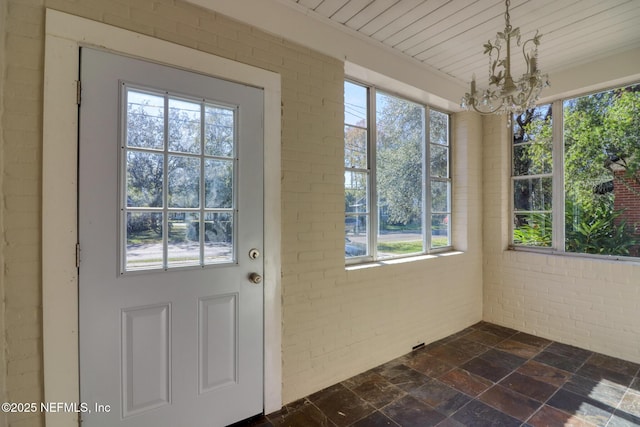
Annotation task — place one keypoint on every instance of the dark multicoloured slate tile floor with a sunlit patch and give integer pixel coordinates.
(485, 375)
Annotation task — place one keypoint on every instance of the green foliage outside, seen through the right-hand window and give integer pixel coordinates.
(601, 135)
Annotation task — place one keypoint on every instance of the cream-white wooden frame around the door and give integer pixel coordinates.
(64, 35)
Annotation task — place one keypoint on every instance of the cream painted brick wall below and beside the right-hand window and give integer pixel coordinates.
(589, 303)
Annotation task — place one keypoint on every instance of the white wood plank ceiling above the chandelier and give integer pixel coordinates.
(448, 35)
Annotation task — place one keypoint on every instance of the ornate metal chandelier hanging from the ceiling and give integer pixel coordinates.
(506, 95)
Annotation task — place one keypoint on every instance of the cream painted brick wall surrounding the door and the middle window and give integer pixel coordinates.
(336, 323)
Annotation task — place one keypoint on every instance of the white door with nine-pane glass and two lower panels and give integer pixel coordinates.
(171, 237)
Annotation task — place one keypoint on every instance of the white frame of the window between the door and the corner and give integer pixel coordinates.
(372, 197)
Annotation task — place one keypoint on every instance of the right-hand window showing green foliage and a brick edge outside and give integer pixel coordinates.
(589, 202)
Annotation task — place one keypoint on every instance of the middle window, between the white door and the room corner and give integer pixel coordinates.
(397, 176)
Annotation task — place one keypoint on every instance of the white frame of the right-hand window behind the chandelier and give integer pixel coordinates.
(558, 185)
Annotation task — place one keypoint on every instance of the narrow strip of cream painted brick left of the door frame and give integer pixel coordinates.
(21, 160)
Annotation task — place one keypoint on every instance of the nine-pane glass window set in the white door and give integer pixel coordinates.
(178, 204)
